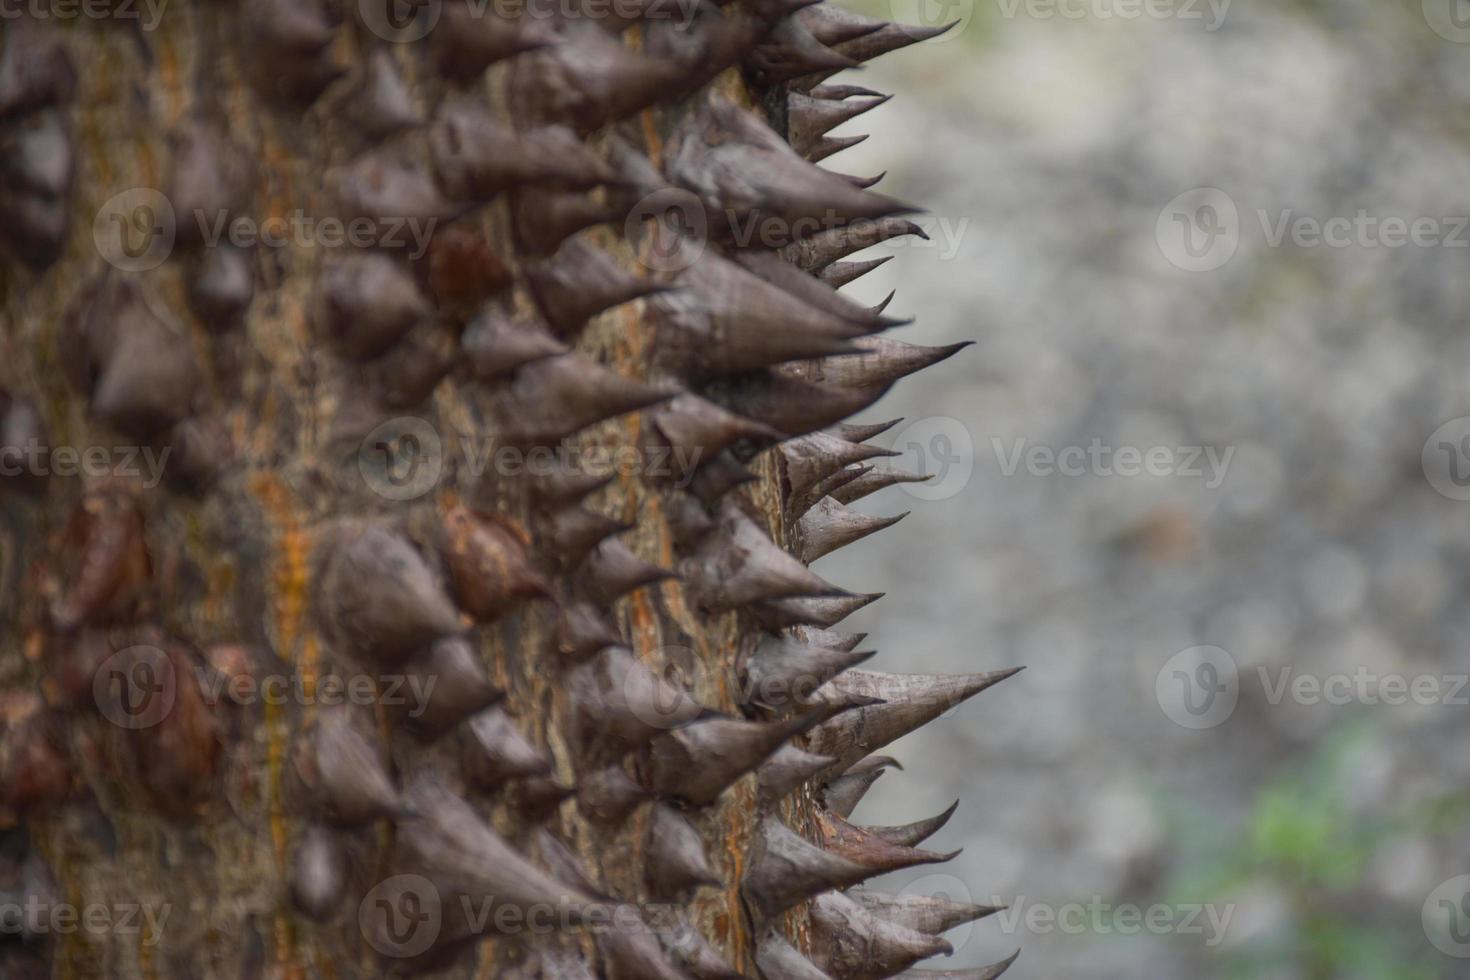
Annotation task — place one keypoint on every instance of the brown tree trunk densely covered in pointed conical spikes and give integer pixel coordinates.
(314, 318)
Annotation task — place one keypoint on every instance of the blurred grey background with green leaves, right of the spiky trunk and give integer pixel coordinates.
(1253, 527)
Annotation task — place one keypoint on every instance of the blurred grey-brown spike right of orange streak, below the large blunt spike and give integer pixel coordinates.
(345, 774)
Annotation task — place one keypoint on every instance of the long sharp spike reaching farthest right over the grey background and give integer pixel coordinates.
(909, 703)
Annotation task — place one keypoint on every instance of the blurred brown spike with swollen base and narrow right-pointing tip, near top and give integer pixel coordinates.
(477, 156)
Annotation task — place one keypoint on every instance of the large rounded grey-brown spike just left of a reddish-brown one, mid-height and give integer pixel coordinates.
(377, 596)
